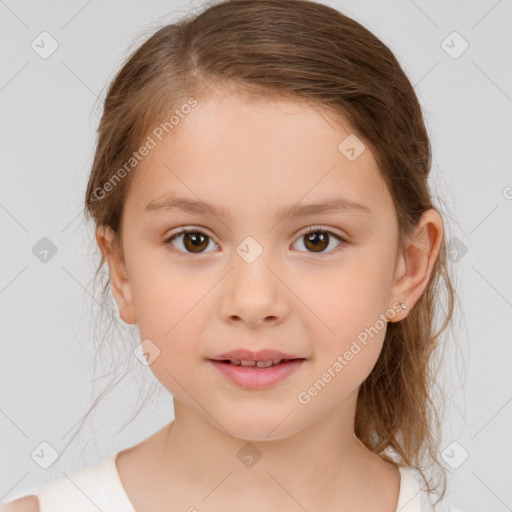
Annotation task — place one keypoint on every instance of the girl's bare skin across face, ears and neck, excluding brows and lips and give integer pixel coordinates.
(252, 159)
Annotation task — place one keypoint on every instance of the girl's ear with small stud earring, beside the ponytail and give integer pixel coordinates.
(415, 264)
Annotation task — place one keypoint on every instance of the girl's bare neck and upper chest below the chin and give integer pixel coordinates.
(193, 462)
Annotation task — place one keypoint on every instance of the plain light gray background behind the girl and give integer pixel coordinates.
(50, 109)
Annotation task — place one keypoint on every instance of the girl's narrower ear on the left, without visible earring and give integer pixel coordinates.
(119, 281)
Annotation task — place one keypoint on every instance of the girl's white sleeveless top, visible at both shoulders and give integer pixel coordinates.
(99, 487)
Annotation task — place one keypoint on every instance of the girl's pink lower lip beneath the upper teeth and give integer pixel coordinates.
(252, 377)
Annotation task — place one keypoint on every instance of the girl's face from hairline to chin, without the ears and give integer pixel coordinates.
(250, 276)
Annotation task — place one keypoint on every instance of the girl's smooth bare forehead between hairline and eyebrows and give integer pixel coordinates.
(238, 152)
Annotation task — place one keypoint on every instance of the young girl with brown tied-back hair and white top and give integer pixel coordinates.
(260, 195)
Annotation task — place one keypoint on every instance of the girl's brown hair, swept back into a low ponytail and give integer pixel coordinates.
(310, 52)
